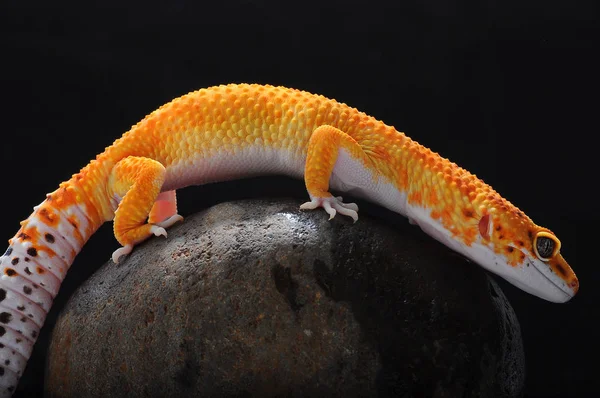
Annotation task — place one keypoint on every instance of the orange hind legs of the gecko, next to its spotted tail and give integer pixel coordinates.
(138, 181)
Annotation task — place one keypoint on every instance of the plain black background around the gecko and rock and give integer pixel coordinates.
(506, 89)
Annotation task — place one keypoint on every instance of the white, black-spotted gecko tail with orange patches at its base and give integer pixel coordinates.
(31, 272)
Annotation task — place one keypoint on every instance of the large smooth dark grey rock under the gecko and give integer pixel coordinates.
(257, 298)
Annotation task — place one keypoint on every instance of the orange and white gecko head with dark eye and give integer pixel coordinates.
(526, 255)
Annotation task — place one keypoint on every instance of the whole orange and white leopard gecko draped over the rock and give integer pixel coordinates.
(241, 130)
